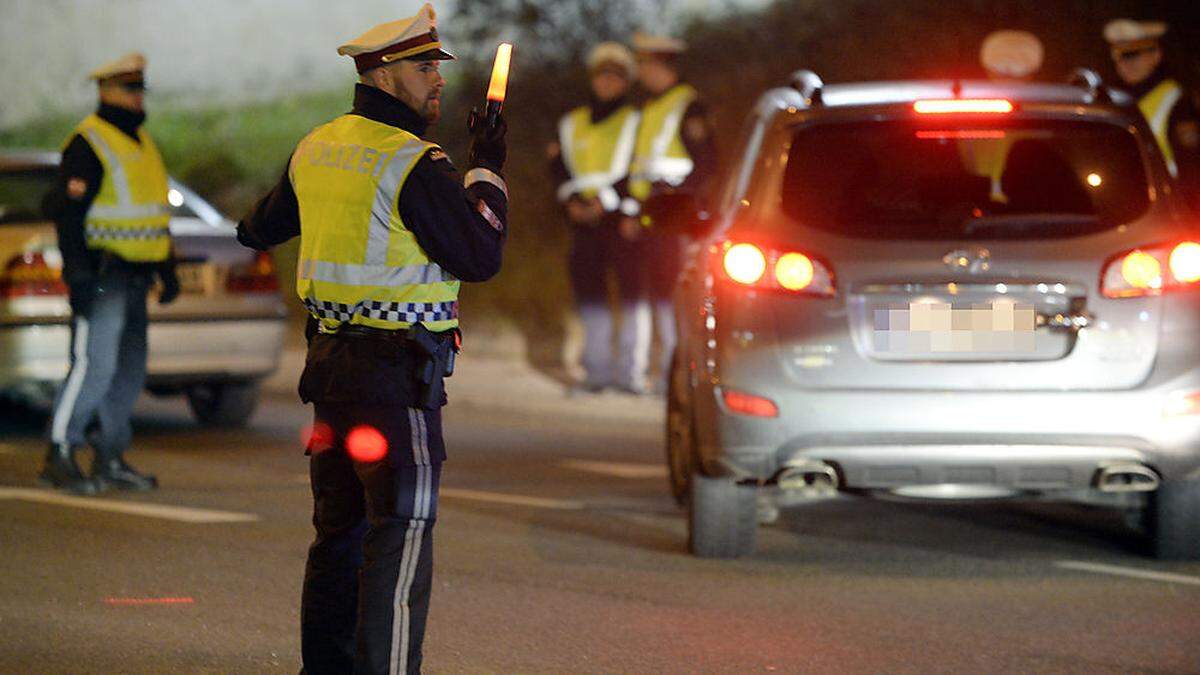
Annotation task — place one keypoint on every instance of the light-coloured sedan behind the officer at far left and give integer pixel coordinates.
(214, 344)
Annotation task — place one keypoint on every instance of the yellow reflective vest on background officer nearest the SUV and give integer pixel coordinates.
(659, 154)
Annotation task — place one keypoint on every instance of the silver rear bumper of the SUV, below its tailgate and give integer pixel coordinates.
(1028, 441)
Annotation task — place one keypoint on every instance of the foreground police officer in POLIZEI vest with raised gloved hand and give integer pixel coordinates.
(388, 230)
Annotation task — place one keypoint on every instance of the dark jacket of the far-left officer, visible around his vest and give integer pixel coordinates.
(73, 194)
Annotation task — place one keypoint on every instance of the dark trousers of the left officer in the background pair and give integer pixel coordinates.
(597, 253)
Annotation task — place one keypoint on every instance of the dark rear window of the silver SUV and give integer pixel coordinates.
(945, 180)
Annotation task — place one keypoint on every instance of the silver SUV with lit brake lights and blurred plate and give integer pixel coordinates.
(941, 290)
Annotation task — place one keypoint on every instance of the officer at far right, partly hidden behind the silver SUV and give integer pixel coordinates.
(1169, 109)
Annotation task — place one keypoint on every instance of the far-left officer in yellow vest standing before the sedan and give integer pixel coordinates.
(110, 207)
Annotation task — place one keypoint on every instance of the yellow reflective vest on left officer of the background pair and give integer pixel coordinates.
(597, 156)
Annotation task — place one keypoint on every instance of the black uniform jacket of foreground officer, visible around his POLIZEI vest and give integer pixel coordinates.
(447, 223)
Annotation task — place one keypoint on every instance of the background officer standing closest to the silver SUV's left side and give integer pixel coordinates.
(675, 156)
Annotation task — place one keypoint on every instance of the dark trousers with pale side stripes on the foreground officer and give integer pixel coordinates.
(369, 577)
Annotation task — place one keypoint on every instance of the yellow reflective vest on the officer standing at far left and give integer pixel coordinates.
(130, 214)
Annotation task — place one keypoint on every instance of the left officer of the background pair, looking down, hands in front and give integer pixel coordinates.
(591, 166)
